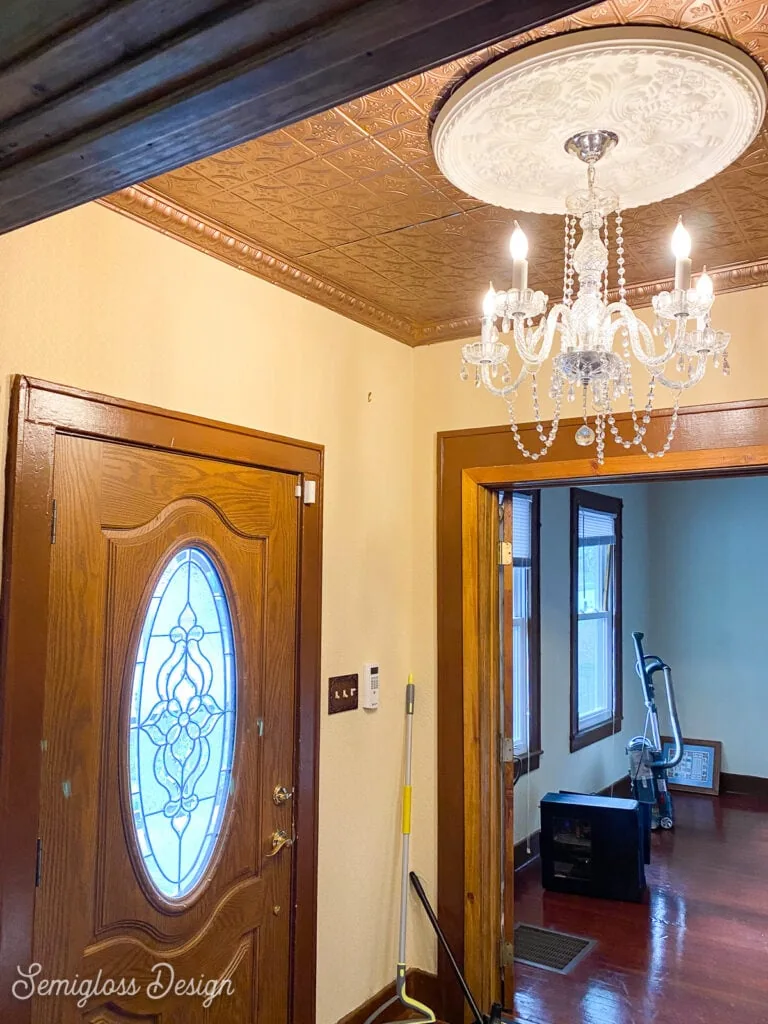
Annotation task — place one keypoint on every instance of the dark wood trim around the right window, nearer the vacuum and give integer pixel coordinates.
(614, 506)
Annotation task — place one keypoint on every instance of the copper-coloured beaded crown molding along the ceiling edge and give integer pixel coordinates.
(147, 207)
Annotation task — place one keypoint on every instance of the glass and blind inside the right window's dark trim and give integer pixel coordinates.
(596, 611)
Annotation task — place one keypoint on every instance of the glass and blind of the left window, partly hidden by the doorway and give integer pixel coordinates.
(522, 612)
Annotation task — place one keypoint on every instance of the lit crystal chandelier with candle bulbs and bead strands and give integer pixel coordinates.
(599, 338)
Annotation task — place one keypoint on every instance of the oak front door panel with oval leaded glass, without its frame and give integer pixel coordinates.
(166, 817)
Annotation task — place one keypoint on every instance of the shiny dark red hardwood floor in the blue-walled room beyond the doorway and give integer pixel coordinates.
(696, 953)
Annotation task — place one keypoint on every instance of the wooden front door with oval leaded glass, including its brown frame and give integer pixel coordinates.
(159, 717)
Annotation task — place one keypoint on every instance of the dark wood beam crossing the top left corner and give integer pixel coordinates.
(98, 96)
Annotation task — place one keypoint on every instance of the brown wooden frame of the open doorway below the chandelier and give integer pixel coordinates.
(474, 465)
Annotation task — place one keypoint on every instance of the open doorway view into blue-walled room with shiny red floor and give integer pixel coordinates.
(693, 563)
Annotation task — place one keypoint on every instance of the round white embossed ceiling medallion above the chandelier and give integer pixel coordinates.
(684, 105)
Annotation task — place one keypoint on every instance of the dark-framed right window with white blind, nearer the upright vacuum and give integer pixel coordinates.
(595, 615)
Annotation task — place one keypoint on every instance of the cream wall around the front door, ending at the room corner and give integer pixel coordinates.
(93, 300)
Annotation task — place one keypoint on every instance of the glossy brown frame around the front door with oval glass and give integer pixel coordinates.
(39, 411)
